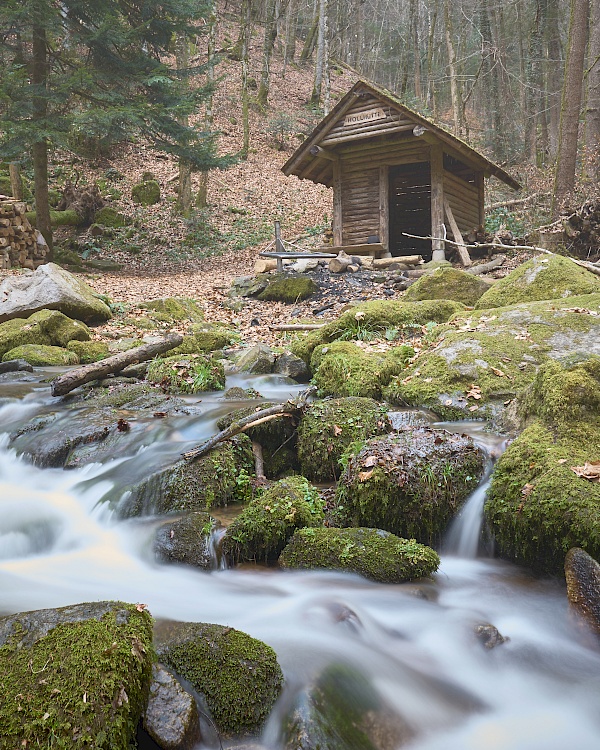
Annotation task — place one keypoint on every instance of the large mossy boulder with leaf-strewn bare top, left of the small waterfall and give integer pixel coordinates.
(411, 483)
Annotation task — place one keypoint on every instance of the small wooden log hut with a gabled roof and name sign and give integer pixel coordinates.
(393, 173)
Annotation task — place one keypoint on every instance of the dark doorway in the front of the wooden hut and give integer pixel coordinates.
(410, 209)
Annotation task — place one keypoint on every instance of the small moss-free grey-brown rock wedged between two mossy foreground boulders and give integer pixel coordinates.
(171, 715)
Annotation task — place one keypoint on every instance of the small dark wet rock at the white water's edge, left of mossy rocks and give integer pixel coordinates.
(186, 540)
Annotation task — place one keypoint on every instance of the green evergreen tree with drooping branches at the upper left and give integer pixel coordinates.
(86, 69)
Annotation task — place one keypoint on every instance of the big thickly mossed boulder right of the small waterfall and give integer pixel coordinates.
(543, 499)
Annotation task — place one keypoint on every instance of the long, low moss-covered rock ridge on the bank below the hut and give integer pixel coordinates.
(372, 319)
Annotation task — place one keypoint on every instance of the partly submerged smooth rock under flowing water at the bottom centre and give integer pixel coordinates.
(343, 710)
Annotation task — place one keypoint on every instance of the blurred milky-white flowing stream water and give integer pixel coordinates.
(540, 690)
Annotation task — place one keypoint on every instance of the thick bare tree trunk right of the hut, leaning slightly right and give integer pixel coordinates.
(566, 162)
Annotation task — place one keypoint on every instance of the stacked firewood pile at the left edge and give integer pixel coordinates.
(20, 243)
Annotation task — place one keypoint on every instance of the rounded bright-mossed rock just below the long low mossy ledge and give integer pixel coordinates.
(344, 369)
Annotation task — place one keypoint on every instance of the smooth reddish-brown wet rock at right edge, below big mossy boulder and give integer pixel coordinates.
(583, 587)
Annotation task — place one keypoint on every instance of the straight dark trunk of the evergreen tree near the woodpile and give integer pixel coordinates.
(39, 74)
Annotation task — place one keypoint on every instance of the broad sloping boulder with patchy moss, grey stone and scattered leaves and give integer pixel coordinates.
(485, 359)
